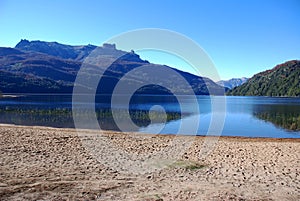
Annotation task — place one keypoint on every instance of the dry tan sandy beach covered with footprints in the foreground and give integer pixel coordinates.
(38, 163)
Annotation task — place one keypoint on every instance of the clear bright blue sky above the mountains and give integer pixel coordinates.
(242, 37)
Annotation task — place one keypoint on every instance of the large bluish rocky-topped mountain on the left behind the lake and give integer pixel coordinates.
(51, 67)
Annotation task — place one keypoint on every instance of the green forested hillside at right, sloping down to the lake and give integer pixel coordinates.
(282, 80)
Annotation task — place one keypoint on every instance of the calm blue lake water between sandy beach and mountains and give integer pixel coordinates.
(244, 116)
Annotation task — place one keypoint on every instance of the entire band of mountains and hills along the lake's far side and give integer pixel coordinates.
(51, 67)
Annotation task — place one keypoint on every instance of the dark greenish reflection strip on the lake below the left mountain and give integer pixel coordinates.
(62, 117)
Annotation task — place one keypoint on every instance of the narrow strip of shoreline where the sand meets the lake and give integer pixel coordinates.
(242, 138)
